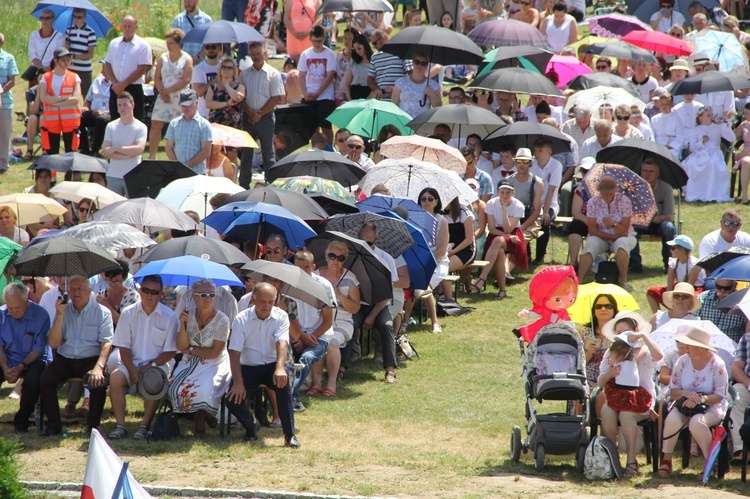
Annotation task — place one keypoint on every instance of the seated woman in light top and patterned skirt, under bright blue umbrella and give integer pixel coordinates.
(202, 376)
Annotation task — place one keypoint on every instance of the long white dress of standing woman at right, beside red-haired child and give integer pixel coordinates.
(708, 175)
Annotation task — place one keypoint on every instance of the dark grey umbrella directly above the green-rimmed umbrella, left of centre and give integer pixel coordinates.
(324, 164)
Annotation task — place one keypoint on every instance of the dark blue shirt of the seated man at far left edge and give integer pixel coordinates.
(18, 337)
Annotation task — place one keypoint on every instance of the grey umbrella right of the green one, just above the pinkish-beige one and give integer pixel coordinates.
(463, 119)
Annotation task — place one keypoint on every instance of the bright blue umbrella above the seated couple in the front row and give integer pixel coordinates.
(183, 270)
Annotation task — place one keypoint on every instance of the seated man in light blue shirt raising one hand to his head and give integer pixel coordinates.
(82, 334)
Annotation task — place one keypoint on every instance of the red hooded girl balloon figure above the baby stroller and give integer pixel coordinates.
(552, 290)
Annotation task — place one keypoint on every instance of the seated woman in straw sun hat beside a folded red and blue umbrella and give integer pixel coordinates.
(700, 378)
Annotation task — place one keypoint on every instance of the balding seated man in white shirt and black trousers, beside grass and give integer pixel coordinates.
(258, 352)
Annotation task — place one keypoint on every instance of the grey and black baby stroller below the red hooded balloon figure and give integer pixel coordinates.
(553, 369)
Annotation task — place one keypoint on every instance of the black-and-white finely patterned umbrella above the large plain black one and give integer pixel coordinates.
(393, 234)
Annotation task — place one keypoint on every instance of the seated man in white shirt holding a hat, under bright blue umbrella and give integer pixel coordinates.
(145, 337)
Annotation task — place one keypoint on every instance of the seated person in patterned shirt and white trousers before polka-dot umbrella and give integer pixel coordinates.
(608, 220)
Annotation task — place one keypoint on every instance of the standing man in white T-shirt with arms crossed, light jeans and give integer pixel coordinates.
(124, 142)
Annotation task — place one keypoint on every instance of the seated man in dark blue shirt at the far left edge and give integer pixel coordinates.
(24, 352)
